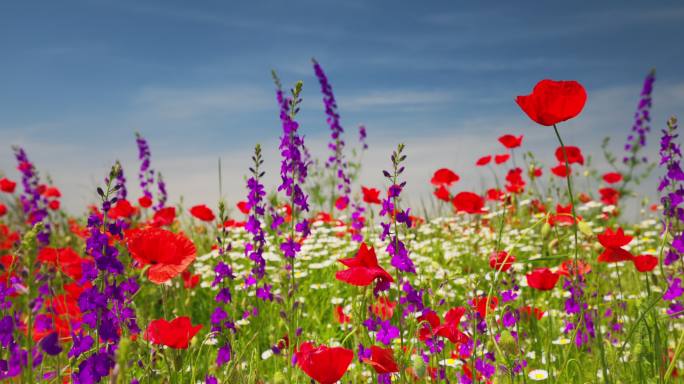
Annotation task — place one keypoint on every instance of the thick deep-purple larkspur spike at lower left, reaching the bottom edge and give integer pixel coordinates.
(105, 306)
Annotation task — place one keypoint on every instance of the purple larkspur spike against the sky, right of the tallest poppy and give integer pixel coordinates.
(642, 119)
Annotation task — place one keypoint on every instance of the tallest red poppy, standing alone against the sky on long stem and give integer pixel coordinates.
(553, 101)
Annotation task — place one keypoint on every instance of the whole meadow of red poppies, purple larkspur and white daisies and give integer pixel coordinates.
(538, 276)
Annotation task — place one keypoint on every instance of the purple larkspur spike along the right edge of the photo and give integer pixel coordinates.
(672, 188)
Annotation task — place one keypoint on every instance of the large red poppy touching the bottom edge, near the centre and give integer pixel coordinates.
(322, 364)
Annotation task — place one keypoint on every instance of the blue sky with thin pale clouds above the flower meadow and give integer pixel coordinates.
(78, 78)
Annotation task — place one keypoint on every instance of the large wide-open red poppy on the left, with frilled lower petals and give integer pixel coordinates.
(167, 253)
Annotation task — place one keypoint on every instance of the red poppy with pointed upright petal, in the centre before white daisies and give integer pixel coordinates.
(363, 268)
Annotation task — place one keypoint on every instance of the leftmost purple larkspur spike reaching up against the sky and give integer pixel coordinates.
(33, 203)
